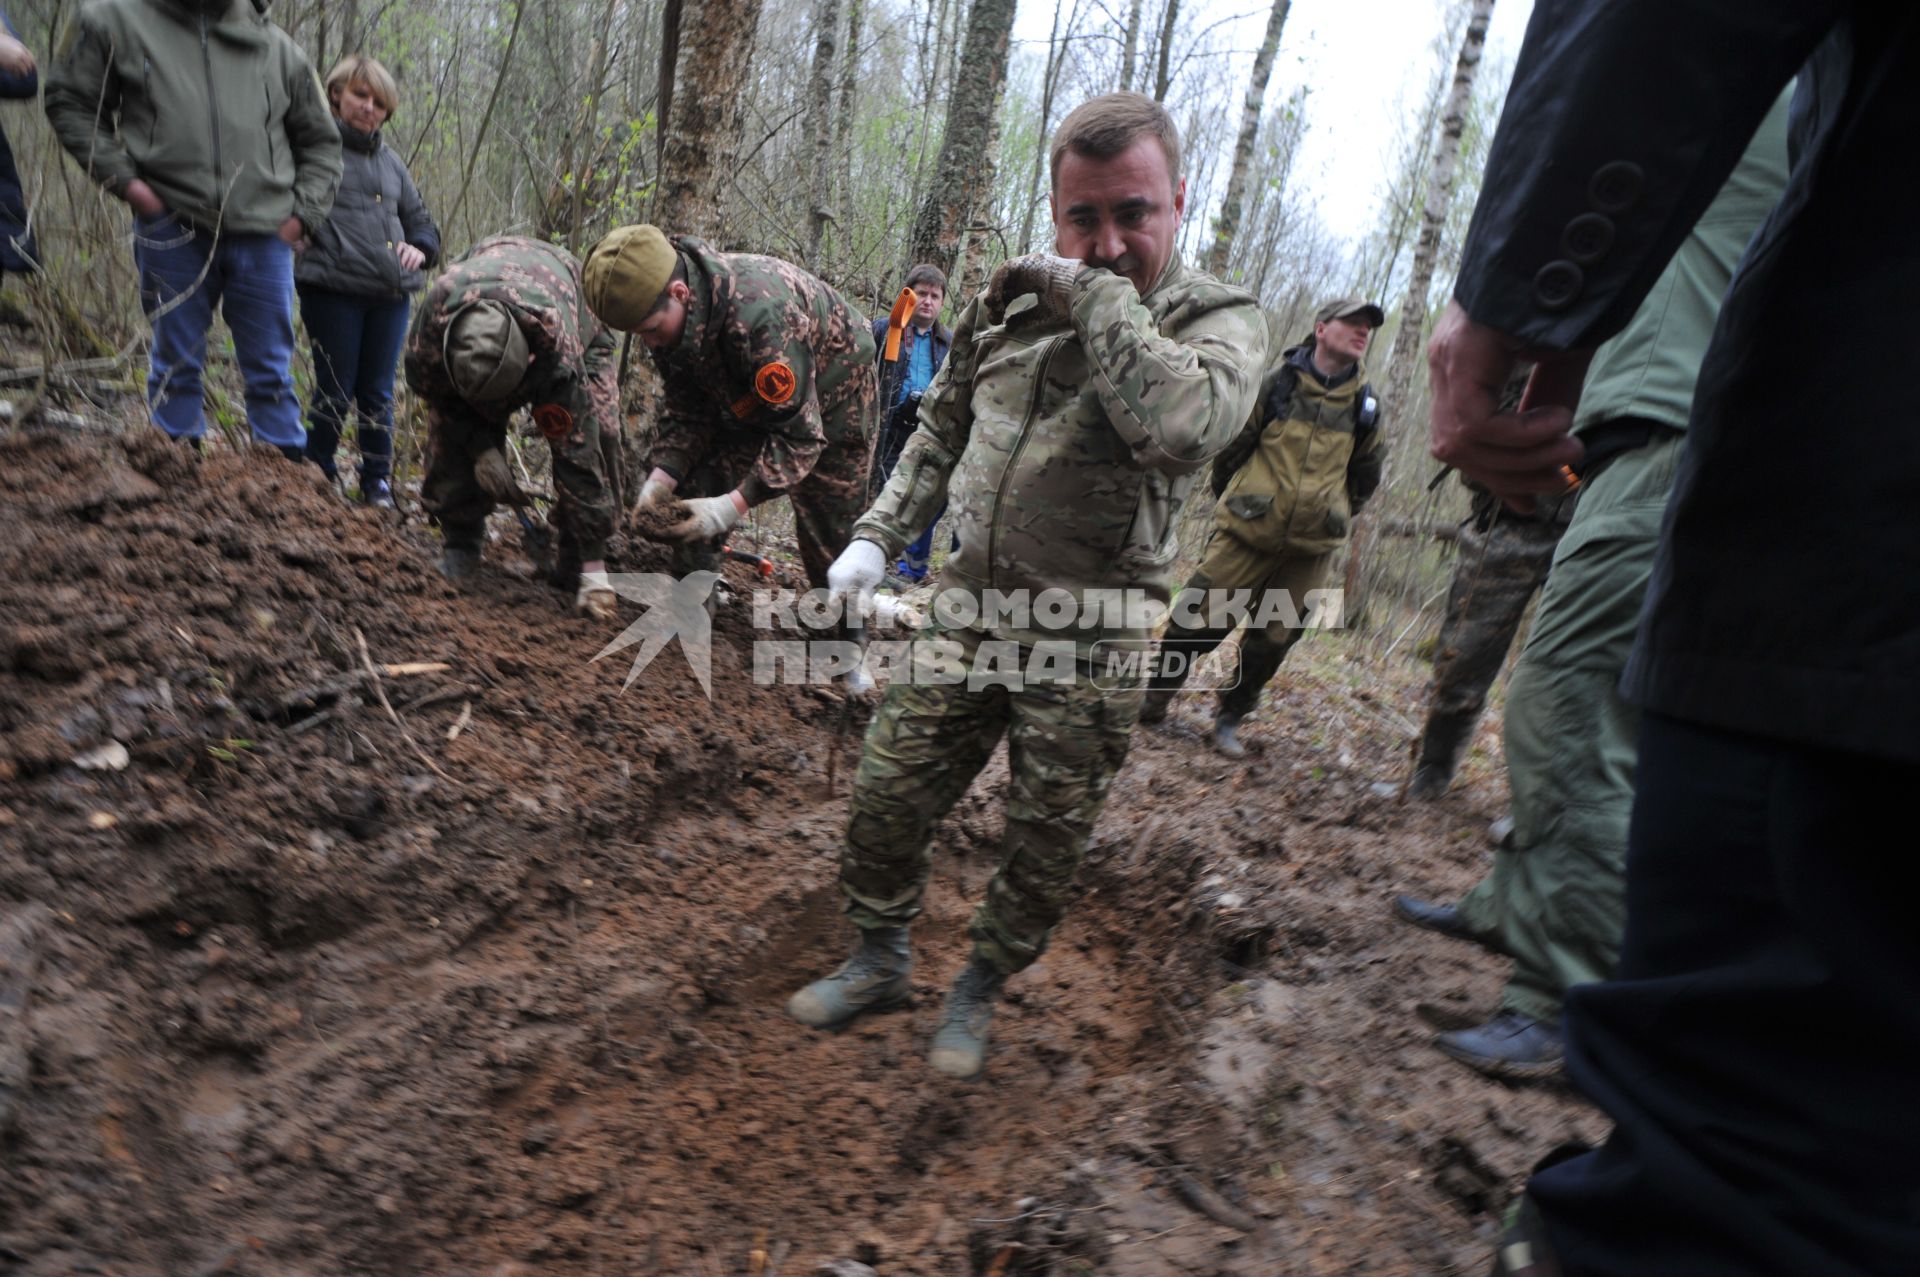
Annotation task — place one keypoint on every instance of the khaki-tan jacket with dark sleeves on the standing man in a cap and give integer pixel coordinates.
(1318, 458)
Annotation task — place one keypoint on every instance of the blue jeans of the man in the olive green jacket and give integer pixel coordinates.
(183, 276)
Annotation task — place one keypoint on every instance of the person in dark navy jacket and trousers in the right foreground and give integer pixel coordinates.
(1756, 1046)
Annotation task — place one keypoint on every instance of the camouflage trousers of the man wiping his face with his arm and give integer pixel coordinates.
(928, 742)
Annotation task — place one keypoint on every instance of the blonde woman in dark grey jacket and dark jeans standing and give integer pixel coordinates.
(356, 276)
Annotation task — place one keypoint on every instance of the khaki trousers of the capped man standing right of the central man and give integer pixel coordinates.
(1232, 564)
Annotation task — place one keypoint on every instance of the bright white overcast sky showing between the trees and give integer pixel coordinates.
(1366, 62)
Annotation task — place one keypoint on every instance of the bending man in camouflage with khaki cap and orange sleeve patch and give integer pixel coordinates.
(769, 389)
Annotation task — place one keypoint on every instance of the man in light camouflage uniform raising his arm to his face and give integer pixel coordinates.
(1082, 397)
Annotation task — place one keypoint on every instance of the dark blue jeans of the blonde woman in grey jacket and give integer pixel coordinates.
(356, 349)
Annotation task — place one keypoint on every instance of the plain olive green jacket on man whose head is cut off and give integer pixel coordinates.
(208, 103)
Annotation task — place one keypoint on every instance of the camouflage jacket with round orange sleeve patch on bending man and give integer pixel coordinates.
(765, 349)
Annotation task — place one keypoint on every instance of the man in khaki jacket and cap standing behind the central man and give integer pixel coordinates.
(1289, 491)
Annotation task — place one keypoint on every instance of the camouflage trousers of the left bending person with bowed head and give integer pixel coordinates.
(587, 481)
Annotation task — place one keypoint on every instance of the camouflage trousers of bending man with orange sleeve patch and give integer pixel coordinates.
(825, 504)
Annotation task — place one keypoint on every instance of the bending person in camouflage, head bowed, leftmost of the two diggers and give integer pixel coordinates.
(506, 329)
